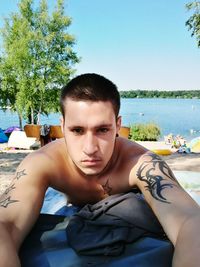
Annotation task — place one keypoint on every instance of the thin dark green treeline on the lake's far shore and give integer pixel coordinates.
(160, 94)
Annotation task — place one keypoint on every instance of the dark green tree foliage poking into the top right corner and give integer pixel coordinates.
(193, 23)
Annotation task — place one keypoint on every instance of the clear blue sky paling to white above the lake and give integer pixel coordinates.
(138, 44)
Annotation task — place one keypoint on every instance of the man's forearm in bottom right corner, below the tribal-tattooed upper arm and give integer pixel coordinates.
(187, 248)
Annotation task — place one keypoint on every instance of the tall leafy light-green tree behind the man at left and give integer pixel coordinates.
(37, 59)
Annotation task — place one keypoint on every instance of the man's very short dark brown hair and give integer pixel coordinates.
(91, 87)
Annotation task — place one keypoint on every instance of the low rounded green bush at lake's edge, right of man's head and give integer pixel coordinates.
(145, 132)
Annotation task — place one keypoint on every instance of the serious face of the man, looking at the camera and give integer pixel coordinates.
(90, 130)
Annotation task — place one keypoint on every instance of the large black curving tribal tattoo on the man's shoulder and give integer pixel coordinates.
(153, 172)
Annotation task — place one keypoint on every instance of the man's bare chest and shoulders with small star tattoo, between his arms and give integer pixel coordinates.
(81, 189)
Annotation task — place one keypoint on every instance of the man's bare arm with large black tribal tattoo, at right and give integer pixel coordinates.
(177, 212)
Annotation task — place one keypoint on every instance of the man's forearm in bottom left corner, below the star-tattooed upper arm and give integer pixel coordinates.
(8, 252)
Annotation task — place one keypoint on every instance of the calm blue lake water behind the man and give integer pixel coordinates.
(177, 116)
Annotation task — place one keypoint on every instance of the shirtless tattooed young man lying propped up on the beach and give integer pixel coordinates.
(89, 164)
